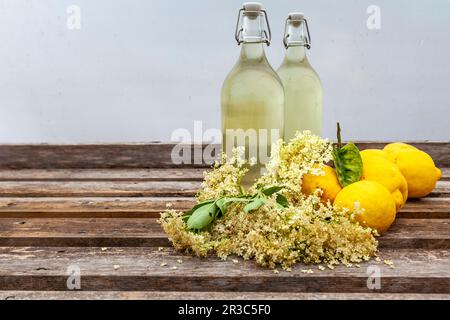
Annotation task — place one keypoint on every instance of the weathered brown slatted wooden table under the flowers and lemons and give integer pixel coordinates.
(94, 207)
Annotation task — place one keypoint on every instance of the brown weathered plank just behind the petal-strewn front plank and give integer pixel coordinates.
(141, 232)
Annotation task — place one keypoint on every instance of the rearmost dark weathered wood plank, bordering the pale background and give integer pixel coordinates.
(146, 155)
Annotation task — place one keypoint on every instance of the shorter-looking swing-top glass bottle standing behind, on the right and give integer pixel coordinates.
(302, 86)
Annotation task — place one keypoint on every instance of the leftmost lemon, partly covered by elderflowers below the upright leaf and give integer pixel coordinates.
(329, 184)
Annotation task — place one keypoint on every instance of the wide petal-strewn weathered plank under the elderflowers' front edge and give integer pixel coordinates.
(143, 269)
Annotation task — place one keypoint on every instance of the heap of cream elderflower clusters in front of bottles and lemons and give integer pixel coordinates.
(308, 231)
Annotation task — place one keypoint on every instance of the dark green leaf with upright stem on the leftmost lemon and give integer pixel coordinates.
(347, 161)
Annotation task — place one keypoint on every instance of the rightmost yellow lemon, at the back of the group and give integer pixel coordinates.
(417, 167)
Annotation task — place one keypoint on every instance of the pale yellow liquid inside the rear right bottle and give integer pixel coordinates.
(303, 94)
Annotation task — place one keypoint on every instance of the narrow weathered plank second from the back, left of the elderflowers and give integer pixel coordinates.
(180, 174)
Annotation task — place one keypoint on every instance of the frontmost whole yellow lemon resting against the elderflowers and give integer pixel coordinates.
(371, 203)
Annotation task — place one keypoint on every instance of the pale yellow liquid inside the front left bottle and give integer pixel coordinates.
(252, 98)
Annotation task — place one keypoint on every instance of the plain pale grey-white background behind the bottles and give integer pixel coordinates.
(137, 70)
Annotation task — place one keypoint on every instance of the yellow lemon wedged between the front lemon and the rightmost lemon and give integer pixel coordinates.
(377, 168)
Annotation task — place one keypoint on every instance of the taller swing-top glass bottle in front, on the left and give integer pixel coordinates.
(252, 94)
